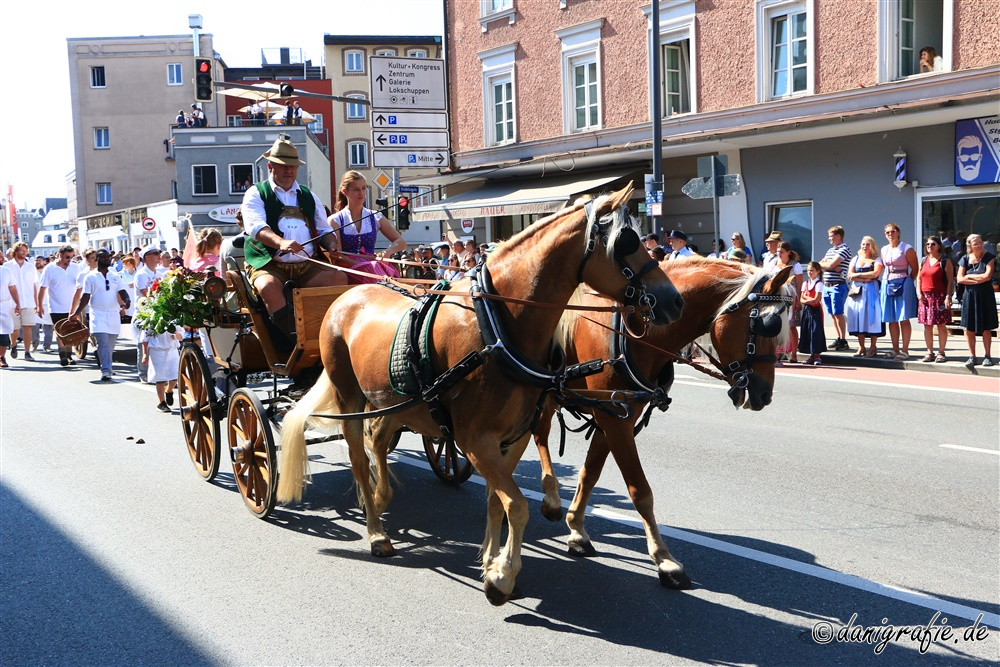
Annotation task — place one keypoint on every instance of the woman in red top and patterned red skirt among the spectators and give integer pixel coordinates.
(935, 285)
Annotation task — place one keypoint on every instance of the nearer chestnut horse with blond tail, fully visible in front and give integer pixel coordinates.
(489, 410)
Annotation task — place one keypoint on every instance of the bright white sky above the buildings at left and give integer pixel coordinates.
(36, 131)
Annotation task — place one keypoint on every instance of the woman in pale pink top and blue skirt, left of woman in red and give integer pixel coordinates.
(899, 293)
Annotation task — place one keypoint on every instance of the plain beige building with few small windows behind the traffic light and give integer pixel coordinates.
(125, 94)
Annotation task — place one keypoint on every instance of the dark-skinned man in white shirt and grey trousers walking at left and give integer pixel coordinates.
(105, 293)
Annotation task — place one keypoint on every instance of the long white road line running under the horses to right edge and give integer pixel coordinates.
(950, 609)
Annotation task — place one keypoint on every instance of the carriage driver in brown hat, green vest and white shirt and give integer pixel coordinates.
(281, 219)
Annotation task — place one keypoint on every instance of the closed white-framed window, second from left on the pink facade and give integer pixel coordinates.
(581, 76)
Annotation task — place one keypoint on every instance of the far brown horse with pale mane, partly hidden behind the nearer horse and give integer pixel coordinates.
(717, 301)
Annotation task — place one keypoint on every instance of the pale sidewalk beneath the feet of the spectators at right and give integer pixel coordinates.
(956, 350)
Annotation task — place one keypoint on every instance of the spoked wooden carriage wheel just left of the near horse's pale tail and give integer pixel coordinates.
(251, 447)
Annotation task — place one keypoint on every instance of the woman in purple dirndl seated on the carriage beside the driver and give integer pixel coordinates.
(357, 228)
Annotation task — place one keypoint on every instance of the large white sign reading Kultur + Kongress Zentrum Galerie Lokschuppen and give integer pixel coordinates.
(407, 83)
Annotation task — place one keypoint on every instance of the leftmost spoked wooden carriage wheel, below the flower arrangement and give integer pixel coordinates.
(195, 394)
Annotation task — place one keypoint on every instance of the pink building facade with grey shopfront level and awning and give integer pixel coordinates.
(812, 103)
